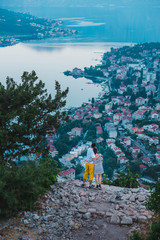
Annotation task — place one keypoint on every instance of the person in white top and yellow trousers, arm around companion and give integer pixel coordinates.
(89, 165)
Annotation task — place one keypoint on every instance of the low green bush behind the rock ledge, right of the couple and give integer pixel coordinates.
(126, 179)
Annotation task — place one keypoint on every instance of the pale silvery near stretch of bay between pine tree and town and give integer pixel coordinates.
(50, 60)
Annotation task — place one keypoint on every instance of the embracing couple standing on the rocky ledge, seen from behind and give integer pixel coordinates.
(93, 166)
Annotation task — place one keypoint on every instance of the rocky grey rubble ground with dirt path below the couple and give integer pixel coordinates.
(71, 212)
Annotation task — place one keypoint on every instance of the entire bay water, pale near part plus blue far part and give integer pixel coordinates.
(100, 23)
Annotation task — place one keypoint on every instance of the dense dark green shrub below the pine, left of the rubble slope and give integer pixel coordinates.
(20, 186)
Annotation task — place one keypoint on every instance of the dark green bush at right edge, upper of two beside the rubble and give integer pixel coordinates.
(154, 199)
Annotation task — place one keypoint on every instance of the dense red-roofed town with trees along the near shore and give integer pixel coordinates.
(123, 121)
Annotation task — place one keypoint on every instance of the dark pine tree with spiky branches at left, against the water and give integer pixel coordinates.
(27, 111)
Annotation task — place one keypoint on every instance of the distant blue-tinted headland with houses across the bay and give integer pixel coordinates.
(18, 27)
